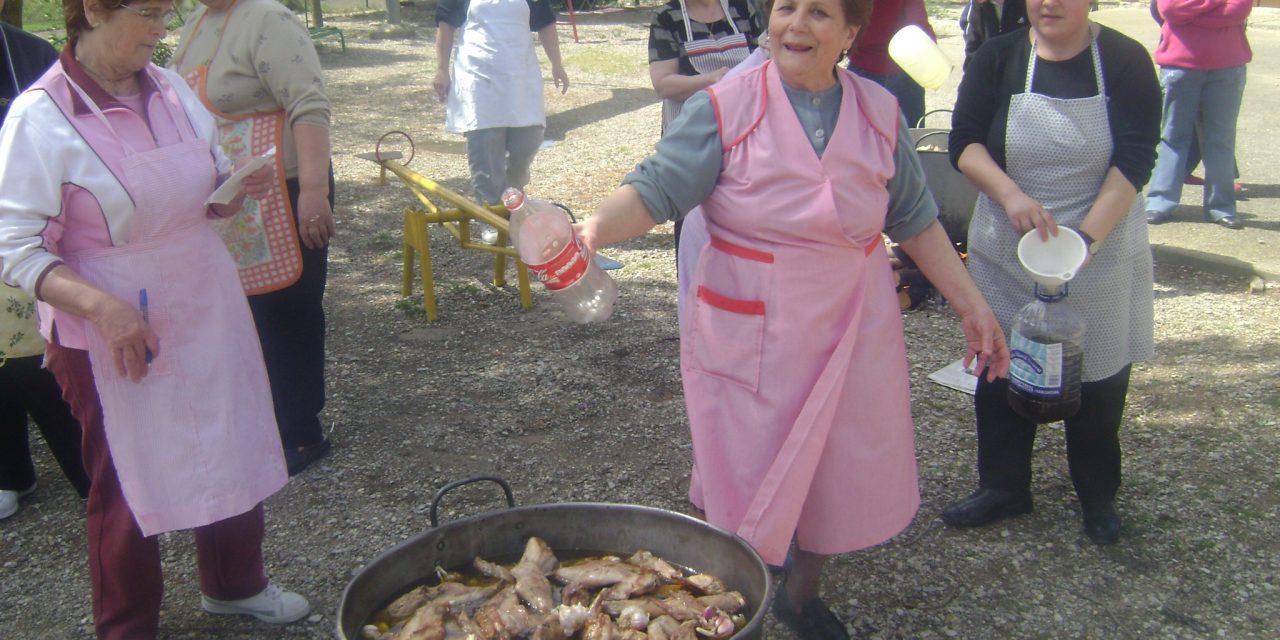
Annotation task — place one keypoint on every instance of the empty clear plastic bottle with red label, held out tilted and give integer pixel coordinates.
(556, 257)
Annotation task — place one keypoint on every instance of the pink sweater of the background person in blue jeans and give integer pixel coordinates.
(1204, 35)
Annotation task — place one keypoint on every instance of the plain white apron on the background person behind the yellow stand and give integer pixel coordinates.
(497, 81)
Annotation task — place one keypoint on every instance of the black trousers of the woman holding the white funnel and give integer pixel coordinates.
(1005, 440)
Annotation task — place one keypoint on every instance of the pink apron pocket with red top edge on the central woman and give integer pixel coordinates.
(728, 339)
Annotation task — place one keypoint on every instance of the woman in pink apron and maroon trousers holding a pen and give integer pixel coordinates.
(106, 167)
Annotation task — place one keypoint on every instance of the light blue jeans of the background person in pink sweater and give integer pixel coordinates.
(1215, 97)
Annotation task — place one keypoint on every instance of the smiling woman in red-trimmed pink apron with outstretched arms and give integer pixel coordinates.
(792, 350)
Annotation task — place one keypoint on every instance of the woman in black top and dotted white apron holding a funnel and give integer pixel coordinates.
(1058, 126)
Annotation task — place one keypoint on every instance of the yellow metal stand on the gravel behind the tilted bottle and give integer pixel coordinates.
(458, 222)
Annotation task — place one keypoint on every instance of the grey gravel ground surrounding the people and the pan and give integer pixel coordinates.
(596, 413)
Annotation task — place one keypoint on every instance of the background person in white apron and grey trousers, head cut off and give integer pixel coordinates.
(488, 76)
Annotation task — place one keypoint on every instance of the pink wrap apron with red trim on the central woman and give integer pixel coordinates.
(792, 351)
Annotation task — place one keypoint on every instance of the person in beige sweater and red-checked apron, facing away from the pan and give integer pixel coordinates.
(255, 68)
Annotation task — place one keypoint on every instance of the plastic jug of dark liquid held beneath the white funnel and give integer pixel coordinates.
(1046, 348)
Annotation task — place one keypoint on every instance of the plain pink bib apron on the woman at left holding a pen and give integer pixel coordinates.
(195, 442)
